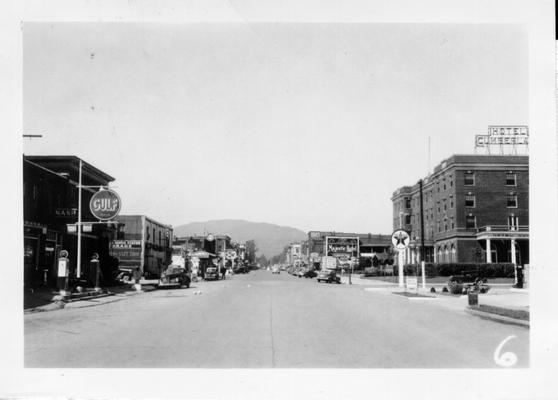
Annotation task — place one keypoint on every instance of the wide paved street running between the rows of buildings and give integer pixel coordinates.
(265, 320)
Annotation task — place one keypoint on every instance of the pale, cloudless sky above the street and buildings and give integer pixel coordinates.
(312, 126)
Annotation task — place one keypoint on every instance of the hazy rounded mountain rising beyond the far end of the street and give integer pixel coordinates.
(270, 239)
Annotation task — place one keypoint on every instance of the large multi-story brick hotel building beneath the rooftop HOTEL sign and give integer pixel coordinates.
(476, 209)
